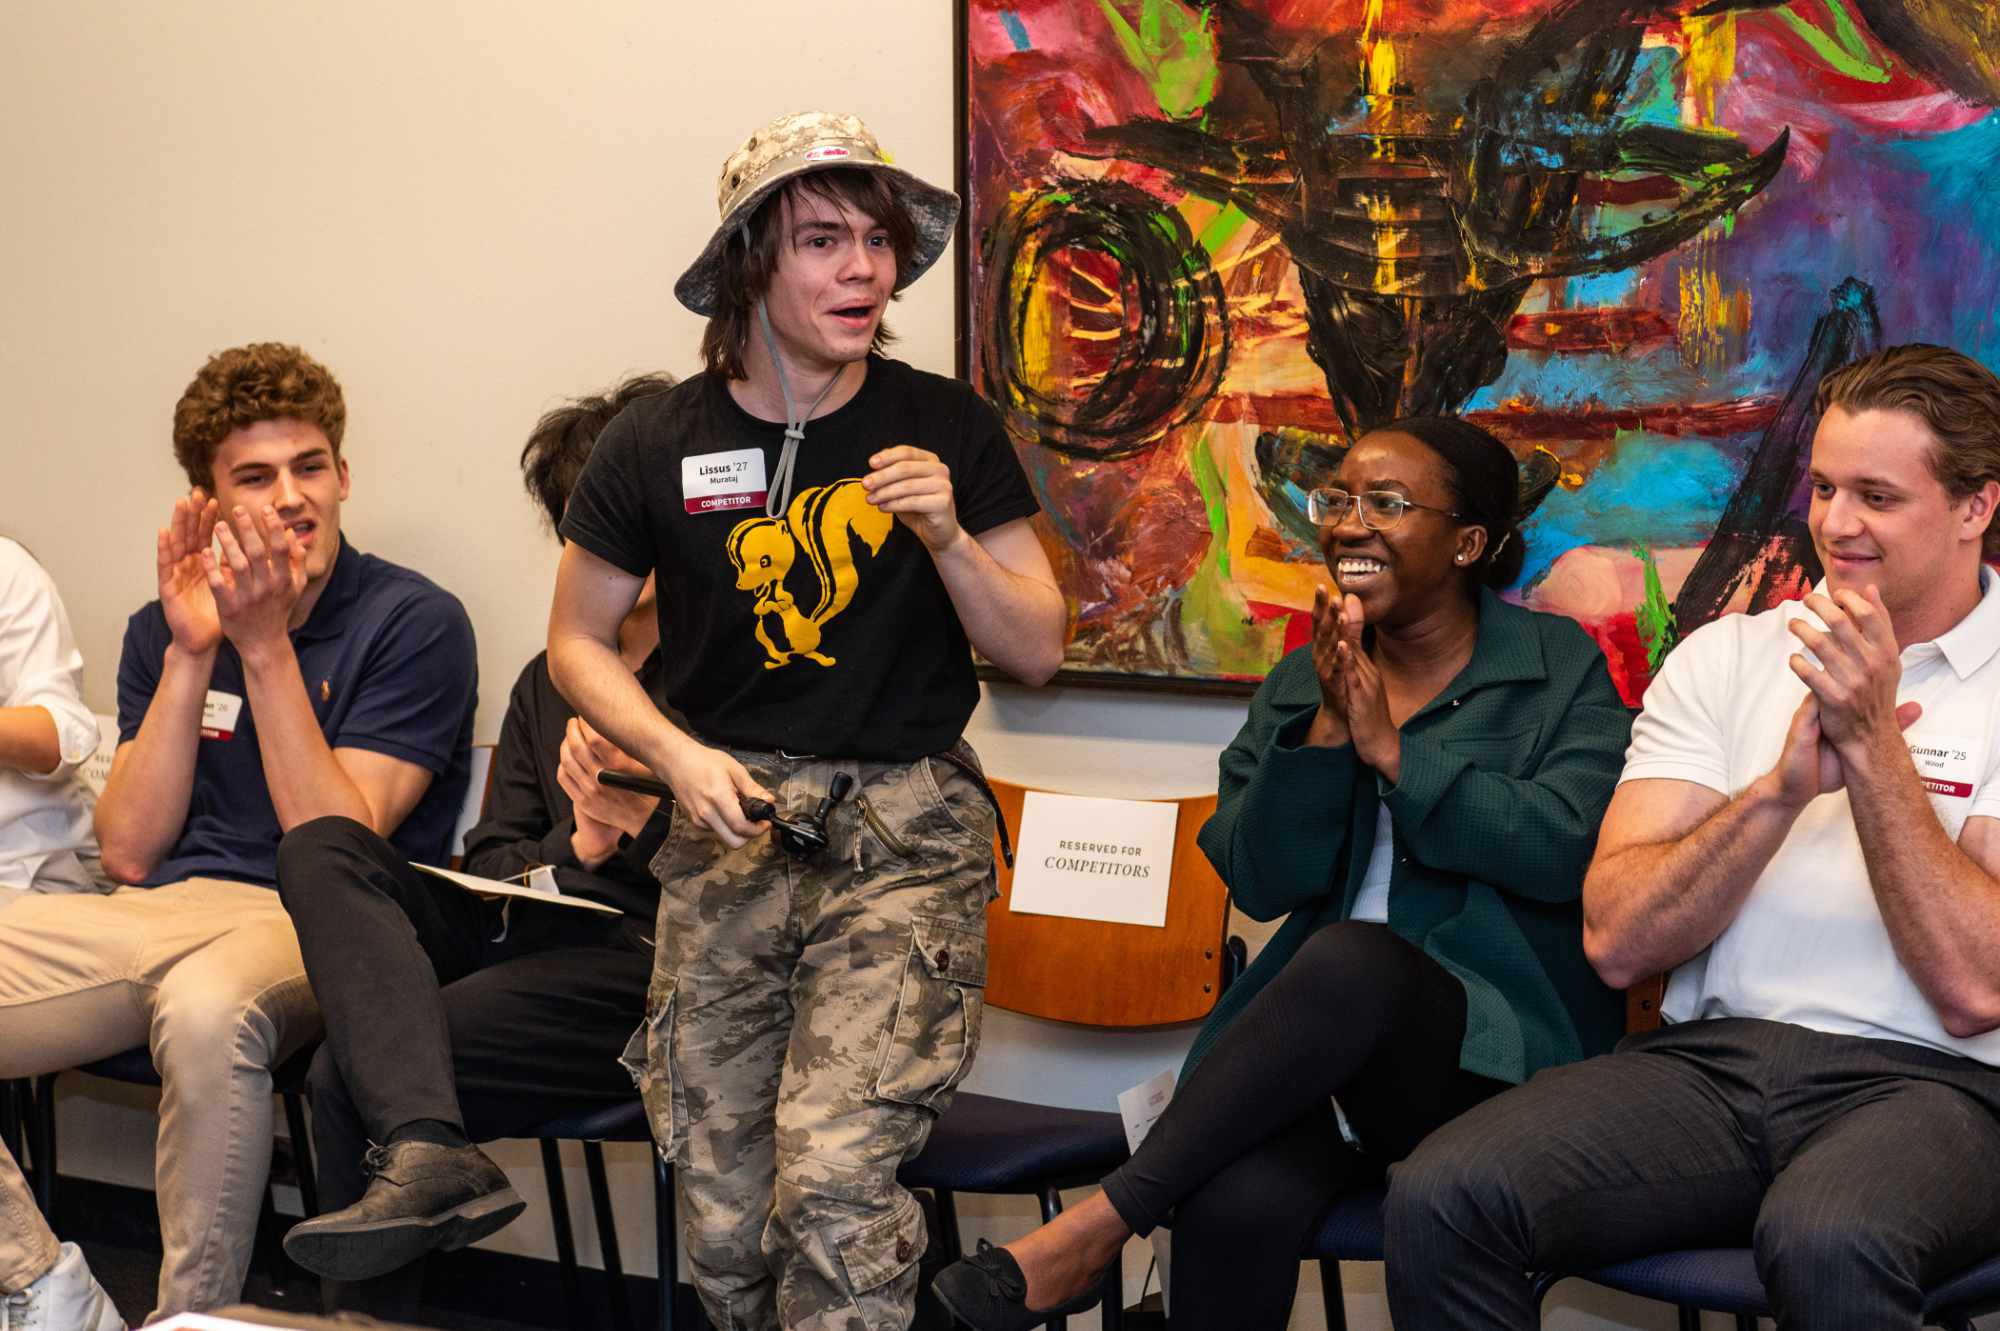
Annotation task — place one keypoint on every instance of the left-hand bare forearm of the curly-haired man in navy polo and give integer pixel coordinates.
(145, 800)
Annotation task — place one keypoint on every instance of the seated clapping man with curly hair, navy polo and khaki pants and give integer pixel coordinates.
(281, 680)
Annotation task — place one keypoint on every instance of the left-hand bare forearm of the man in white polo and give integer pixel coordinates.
(1653, 906)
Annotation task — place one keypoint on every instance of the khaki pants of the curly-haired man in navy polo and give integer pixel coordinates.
(205, 974)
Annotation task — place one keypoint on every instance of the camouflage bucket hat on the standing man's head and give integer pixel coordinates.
(813, 143)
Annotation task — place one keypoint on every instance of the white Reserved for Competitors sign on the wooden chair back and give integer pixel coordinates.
(1087, 858)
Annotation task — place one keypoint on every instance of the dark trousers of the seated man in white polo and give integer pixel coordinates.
(1859, 1170)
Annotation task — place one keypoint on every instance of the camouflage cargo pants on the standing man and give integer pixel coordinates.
(807, 1024)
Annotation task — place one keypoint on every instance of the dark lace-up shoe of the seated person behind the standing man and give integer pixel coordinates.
(423, 1198)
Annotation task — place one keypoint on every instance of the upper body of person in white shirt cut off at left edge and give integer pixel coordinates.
(47, 732)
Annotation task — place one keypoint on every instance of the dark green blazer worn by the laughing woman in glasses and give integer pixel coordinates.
(1505, 778)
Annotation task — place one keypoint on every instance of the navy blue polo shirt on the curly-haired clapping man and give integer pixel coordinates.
(389, 666)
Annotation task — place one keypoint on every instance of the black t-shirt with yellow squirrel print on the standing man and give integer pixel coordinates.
(825, 631)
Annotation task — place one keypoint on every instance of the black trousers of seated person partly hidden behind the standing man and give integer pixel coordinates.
(431, 1014)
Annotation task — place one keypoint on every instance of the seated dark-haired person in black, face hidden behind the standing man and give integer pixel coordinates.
(449, 1020)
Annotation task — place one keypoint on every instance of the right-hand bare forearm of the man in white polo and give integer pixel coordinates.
(1941, 908)
